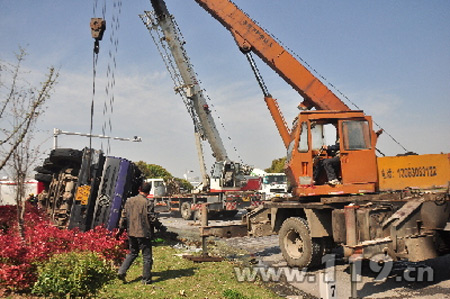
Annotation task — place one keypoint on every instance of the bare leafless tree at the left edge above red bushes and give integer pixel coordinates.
(21, 105)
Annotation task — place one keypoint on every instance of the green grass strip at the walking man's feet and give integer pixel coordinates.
(176, 277)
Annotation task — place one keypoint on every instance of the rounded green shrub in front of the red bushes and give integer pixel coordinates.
(73, 274)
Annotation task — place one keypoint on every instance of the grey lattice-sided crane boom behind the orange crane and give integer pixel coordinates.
(226, 175)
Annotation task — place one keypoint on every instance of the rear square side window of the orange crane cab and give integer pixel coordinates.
(356, 135)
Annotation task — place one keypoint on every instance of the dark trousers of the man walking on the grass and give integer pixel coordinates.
(136, 245)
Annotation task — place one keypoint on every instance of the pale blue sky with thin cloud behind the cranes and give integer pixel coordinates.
(391, 58)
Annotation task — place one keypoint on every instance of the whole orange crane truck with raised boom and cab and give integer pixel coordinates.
(398, 206)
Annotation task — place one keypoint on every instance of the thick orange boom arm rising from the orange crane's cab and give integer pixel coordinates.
(251, 37)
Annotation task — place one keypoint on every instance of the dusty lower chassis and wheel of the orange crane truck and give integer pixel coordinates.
(410, 224)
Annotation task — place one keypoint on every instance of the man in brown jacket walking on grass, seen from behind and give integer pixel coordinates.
(138, 218)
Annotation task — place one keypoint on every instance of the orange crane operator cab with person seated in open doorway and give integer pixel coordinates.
(331, 153)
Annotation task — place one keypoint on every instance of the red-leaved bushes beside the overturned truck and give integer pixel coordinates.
(19, 258)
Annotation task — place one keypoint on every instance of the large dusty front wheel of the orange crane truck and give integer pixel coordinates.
(299, 249)
